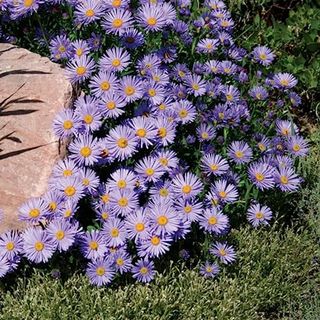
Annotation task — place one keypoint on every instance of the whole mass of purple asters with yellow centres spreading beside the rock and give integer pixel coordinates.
(177, 129)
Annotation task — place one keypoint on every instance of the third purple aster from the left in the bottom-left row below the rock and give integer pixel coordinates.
(63, 233)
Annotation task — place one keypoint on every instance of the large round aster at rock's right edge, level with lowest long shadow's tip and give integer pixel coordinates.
(84, 150)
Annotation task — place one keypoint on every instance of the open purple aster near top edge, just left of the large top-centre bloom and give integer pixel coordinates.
(117, 21)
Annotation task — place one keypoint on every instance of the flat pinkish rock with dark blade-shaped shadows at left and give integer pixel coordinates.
(34, 90)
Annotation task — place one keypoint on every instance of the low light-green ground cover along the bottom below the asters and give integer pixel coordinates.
(275, 270)
